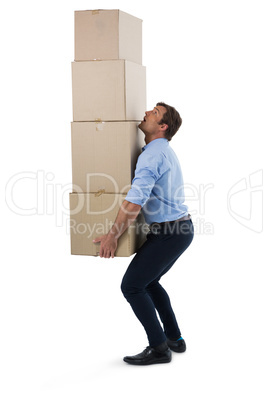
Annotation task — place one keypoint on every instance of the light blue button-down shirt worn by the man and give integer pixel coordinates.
(158, 183)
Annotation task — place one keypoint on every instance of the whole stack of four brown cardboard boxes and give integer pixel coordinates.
(109, 100)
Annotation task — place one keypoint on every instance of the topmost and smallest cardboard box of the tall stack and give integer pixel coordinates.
(107, 35)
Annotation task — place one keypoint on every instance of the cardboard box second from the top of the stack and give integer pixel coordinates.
(108, 90)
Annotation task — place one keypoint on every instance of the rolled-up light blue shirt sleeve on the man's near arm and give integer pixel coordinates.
(148, 170)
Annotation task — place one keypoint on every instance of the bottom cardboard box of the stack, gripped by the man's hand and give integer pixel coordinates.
(92, 215)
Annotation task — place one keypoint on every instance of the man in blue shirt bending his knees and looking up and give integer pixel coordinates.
(157, 189)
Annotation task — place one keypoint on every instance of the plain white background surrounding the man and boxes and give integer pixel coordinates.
(65, 325)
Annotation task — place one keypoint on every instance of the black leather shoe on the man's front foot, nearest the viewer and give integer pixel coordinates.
(149, 356)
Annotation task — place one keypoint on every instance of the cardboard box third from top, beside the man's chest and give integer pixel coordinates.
(104, 155)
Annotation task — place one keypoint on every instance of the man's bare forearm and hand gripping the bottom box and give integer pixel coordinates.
(126, 215)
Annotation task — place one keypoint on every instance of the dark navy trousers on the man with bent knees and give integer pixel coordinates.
(140, 284)
